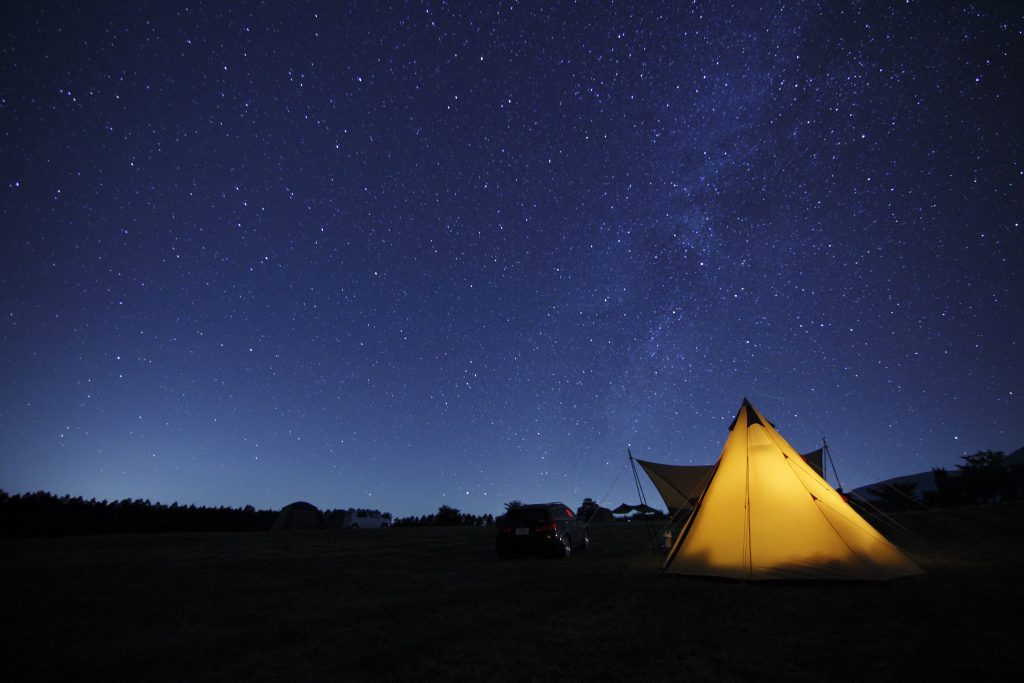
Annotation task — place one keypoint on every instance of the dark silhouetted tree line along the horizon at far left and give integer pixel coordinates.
(42, 515)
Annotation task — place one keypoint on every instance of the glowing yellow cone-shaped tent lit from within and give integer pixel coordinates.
(767, 516)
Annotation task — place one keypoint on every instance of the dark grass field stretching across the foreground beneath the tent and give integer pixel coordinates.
(437, 605)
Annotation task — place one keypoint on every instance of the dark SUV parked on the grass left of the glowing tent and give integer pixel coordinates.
(543, 529)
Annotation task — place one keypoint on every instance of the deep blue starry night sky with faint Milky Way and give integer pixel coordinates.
(464, 253)
